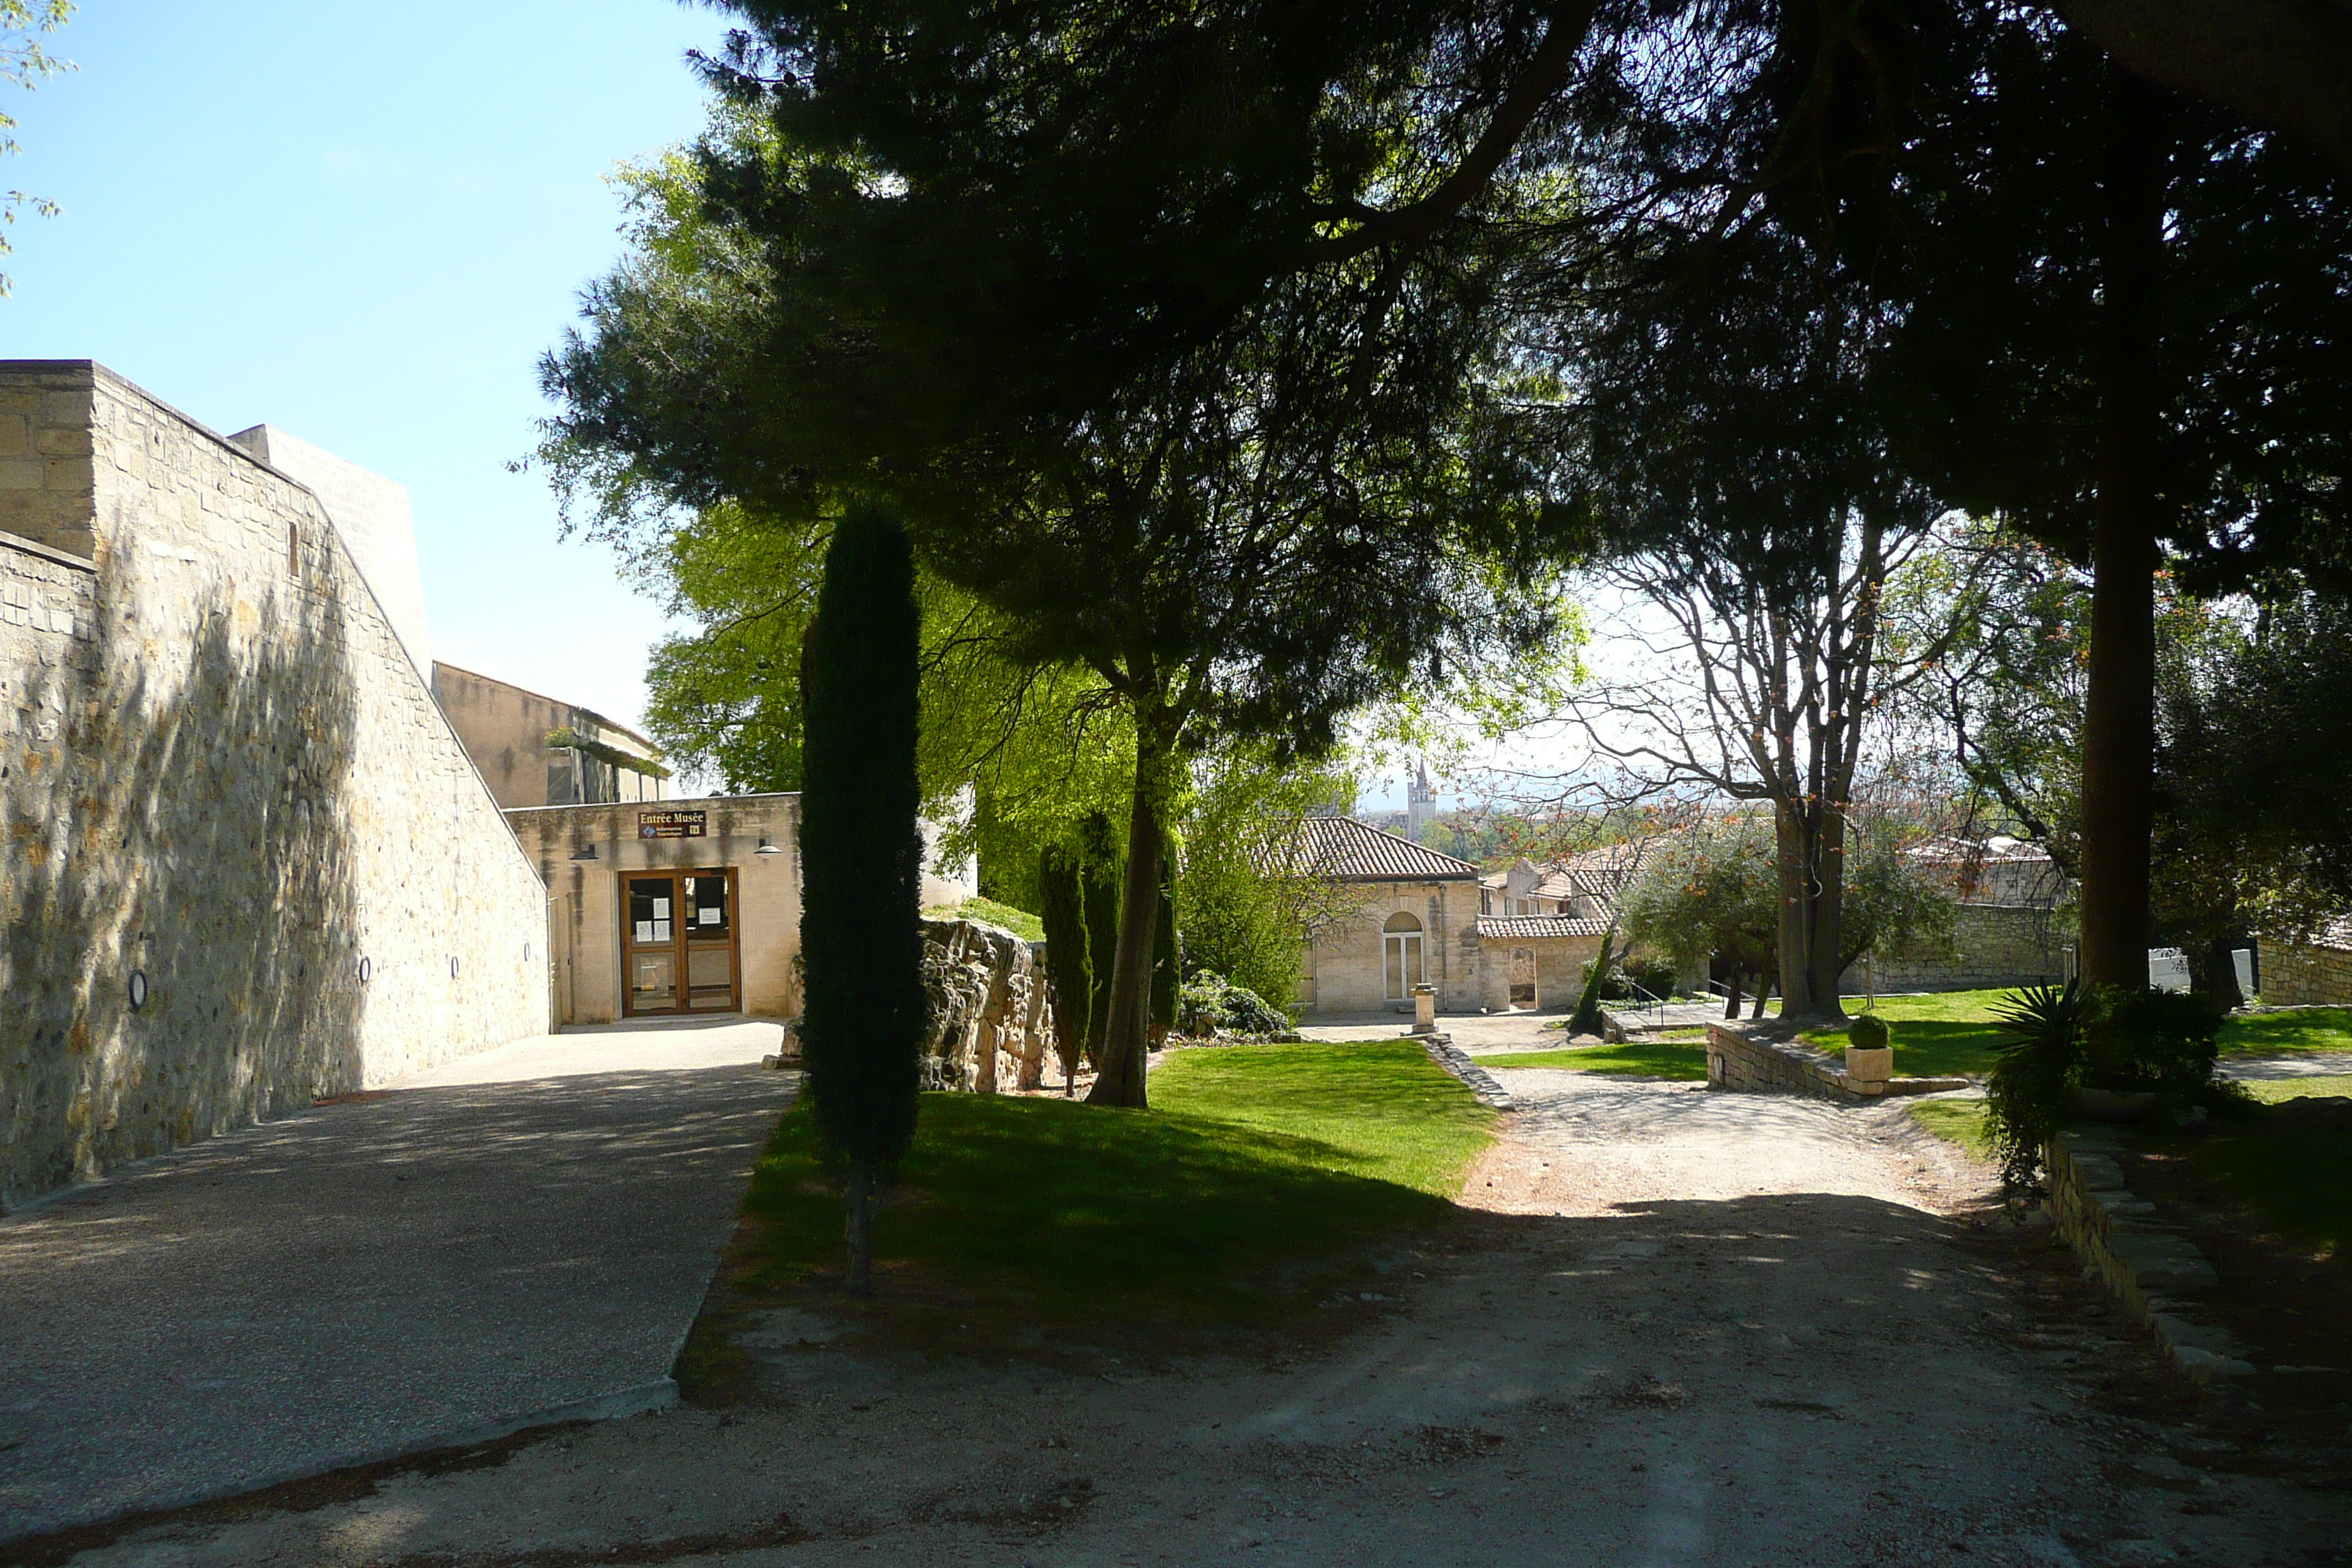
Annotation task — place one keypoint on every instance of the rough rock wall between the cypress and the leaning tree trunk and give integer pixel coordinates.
(991, 1019)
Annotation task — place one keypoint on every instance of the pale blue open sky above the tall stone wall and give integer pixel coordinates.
(363, 225)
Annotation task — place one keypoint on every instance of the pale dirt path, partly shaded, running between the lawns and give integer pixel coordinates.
(1688, 1329)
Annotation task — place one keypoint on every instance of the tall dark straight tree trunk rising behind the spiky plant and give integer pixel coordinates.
(2118, 732)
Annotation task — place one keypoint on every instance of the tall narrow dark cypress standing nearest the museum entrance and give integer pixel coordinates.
(862, 864)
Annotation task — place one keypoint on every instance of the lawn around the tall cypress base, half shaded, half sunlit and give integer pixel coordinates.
(1257, 1177)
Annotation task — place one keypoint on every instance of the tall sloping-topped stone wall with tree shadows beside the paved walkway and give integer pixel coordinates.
(222, 775)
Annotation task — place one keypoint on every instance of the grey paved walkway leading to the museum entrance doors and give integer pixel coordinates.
(512, 1238)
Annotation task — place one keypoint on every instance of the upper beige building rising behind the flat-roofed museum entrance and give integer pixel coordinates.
(537, 751)
